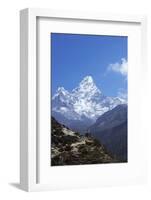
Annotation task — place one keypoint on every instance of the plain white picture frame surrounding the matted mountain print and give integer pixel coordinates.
(29, 148)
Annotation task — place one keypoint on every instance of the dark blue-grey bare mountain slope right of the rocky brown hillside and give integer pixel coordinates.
(111, 130)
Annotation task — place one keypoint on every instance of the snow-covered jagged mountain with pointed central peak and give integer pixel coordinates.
(80, 108)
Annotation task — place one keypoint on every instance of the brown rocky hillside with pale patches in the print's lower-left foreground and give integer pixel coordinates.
(71, 148)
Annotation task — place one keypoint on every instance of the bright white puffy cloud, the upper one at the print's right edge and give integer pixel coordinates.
(119, 67)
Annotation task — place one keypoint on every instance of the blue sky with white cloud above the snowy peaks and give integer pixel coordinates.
(74, 56)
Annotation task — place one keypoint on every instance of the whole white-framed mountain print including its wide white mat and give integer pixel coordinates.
(82, 77)
